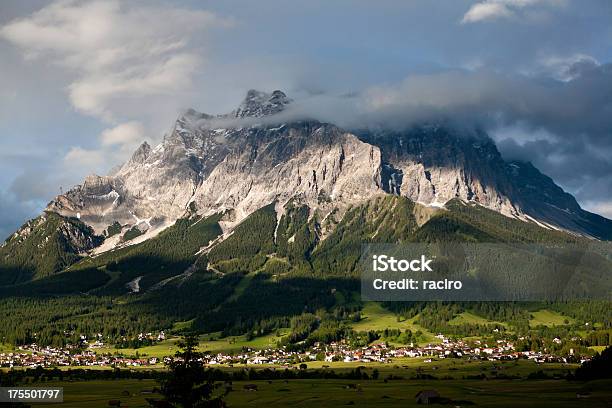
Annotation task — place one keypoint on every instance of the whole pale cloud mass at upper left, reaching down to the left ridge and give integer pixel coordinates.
(127, 63)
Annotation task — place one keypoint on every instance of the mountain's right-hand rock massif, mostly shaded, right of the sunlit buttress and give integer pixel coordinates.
(433, 164)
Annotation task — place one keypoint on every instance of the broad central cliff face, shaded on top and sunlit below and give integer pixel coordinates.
(315, 164)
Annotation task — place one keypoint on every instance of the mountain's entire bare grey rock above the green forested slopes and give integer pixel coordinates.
(211, 169)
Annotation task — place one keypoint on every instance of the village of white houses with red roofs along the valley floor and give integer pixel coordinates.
(32, 355)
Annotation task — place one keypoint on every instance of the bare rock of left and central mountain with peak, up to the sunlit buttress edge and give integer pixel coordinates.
(239, 169)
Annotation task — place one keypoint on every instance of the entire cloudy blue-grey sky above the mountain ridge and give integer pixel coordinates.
(82, 83)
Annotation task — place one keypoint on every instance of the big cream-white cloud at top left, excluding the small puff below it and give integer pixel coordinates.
(115, 50)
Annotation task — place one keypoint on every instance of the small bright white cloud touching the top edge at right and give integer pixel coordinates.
(489, 10)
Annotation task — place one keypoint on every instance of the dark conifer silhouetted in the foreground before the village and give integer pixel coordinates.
(188, 385)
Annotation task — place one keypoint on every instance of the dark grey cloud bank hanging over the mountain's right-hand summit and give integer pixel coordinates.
(580, 106)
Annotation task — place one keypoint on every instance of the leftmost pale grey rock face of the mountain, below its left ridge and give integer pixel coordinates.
(153, 188)
